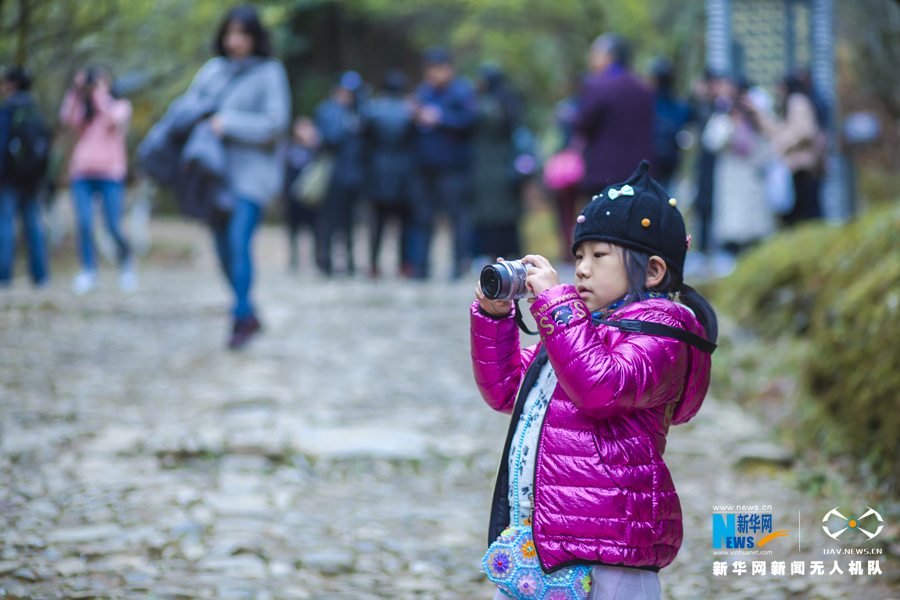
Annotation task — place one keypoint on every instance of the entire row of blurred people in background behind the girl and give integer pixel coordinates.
(229, 147)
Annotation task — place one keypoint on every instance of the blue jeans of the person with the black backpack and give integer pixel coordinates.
(23, 201)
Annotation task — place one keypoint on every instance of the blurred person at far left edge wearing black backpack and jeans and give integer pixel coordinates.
(24, 150)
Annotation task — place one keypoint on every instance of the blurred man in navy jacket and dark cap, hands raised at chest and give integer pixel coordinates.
(447, 109)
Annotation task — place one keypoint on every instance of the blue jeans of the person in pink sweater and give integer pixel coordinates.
(113, 196)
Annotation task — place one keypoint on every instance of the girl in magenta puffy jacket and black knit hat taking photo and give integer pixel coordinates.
(596, 402)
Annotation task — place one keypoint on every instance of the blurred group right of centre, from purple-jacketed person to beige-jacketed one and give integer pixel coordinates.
(758, 166)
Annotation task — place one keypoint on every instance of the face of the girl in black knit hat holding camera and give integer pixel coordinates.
(600, 274)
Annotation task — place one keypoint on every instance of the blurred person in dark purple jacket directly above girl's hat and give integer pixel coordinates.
(615, 116)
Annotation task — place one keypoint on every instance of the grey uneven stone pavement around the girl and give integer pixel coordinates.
(344, 454)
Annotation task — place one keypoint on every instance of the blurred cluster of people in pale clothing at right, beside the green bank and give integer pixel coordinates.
(760, 164)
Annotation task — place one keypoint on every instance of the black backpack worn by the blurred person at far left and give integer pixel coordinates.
(28, 149)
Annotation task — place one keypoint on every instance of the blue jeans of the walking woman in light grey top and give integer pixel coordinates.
(233, 239)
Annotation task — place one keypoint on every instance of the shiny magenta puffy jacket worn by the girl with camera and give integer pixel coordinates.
(603, 494)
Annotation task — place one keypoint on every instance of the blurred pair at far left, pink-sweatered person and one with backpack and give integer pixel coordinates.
(97, 169)
